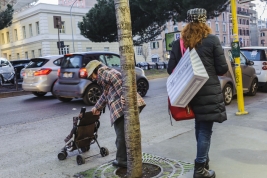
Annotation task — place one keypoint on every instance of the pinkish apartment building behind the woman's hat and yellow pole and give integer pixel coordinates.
(221, 26)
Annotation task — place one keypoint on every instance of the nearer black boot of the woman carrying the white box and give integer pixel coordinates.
(201, 172)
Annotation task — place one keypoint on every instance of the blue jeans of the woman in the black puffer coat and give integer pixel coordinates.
(203, 131)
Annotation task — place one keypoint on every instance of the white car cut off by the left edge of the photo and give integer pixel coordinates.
(7, 72)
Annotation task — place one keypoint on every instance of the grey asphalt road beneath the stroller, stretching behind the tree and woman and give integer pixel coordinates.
(32, 131)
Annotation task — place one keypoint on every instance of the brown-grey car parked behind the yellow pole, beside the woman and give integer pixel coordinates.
(249, 77)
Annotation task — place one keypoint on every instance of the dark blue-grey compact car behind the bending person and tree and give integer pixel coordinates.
(73, 83)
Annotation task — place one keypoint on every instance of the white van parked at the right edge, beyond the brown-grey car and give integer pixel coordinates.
(258, 54)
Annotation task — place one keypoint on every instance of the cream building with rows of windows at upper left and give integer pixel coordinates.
(32, 34)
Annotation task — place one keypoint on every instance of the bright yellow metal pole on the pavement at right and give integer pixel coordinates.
(236, 56)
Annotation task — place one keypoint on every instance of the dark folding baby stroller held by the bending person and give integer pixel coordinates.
(84, 135)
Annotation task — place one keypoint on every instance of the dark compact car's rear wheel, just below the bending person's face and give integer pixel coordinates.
(92, 94)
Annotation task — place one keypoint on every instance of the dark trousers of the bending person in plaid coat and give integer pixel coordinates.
(121, 155)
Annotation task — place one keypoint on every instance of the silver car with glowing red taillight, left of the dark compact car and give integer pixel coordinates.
(40, 74)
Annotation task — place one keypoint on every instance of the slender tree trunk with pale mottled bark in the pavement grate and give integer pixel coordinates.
(131, 114)
